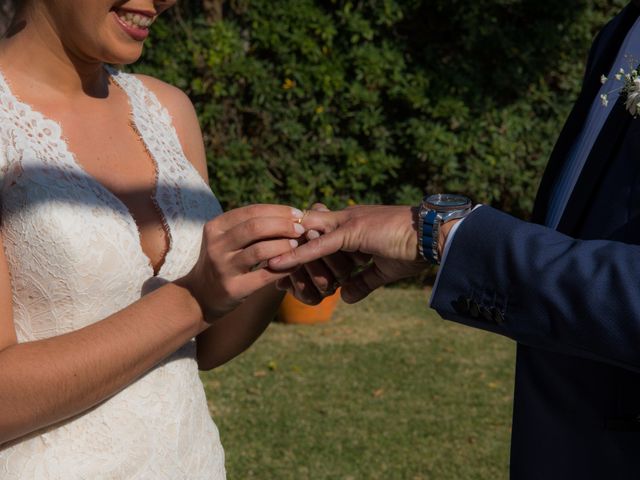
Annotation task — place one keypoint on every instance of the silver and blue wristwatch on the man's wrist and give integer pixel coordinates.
(433, 212)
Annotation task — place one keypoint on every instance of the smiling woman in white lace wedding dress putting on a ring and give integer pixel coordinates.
(119, 274)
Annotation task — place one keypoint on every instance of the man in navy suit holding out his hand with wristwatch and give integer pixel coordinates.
(566, 287)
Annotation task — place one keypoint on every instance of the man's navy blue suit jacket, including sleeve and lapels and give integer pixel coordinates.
(570, 298)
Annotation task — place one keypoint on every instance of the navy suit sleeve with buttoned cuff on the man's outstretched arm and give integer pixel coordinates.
(543, 288)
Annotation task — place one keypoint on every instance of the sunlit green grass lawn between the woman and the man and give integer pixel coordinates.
(386, 390)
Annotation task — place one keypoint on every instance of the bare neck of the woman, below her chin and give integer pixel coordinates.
(36, 55)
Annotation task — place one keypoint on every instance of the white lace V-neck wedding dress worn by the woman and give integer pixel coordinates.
(75, 257)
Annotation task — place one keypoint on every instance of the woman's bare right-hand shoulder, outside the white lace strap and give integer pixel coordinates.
(184, 118)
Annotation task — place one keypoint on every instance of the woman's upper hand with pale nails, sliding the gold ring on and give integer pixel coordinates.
(235, 248)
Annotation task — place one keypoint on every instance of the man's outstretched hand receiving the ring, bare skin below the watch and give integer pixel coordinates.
(387, 233)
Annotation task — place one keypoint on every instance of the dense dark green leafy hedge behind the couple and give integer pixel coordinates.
(378, 101)
